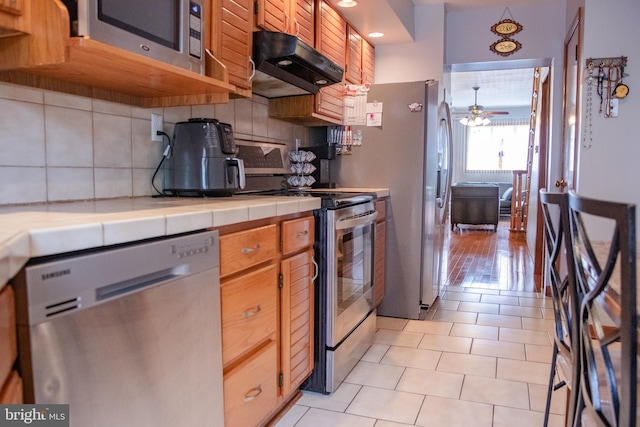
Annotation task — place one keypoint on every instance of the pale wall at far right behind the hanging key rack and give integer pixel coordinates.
(610, 168)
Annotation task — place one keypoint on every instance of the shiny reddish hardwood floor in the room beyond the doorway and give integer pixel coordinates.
(478, 257)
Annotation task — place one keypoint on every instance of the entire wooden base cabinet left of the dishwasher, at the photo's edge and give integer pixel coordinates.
(10, 381)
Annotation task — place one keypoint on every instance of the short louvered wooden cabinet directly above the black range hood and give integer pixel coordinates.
(288, 16)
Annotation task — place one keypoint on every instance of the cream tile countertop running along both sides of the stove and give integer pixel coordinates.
(31, 231)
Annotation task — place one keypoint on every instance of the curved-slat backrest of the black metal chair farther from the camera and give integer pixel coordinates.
(561, 277)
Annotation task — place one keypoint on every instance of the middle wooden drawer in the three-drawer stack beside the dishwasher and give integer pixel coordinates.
(249, 316)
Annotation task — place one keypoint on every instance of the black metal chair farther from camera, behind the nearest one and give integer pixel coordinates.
(566, 300)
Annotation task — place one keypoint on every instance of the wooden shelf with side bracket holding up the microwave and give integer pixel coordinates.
(48, 58)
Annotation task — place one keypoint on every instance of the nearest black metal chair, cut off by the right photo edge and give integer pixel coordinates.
(603, 240)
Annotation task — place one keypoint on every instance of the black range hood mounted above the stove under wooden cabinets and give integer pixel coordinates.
(286, 66)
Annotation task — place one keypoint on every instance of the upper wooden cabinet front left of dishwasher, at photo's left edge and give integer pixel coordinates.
(8, 342)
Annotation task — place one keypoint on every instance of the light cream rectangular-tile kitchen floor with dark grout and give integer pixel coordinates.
(480, 359)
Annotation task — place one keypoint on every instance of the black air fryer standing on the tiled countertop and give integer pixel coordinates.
(203, 160)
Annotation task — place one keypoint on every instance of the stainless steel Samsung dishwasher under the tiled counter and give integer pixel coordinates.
(128, 336)
